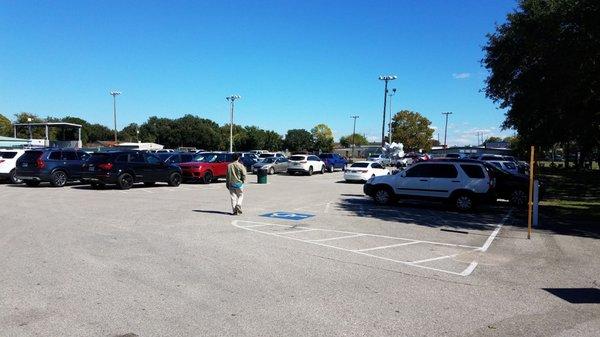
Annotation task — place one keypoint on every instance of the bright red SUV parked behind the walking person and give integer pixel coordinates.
(206, 167)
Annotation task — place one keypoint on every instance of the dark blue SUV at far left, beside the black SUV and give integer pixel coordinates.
(54, 165)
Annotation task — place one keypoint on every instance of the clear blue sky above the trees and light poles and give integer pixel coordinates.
(295, 63)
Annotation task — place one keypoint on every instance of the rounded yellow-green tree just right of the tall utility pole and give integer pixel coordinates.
(412, 130)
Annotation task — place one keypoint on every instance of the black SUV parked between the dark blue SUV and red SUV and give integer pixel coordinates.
(125, 168)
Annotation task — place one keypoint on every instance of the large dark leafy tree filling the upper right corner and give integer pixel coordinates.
(544, 65)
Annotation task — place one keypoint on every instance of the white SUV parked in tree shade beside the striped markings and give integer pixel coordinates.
(463, 183)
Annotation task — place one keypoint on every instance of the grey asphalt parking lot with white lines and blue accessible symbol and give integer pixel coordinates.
(309, 256)
